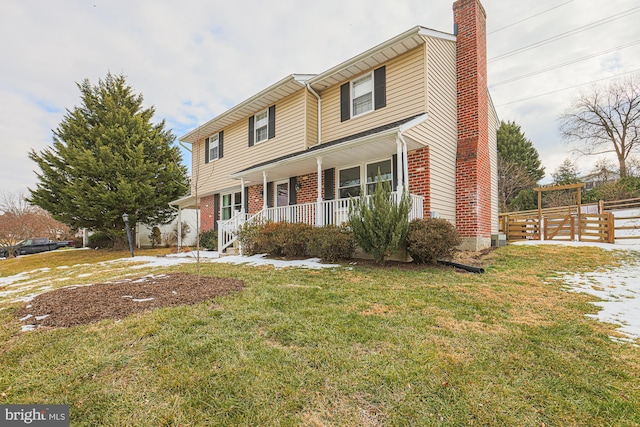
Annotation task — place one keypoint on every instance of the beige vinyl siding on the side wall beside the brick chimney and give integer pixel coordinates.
(440, 128)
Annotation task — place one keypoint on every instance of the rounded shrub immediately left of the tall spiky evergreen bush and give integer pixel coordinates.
(332, 243)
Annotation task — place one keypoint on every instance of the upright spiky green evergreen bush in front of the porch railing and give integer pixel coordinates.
(380, 223)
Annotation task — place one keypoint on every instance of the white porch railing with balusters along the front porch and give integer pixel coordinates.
(330, 212)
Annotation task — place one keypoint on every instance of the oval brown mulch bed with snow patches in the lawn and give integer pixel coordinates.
(87, 304)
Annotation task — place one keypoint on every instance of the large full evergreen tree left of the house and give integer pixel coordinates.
(108, 158)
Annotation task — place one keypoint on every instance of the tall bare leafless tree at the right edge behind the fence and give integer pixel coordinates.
(606, 120)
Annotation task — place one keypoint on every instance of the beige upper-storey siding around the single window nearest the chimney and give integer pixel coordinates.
(405, 98)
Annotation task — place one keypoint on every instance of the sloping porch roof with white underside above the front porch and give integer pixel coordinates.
(361, 147)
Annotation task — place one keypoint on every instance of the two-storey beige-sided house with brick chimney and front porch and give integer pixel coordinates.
(414, 111)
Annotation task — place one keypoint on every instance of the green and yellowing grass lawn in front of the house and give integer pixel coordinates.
(356, 345)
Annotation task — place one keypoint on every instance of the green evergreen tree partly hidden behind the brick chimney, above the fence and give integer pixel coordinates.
(519, 166)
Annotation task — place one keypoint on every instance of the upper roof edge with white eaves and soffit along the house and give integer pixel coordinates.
(367, 60)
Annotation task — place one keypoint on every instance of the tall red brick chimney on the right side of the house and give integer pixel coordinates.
(473, 171)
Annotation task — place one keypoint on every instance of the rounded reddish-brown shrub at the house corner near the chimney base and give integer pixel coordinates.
(431, 239)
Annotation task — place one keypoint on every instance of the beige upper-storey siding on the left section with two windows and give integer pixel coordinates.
(237, 155)
